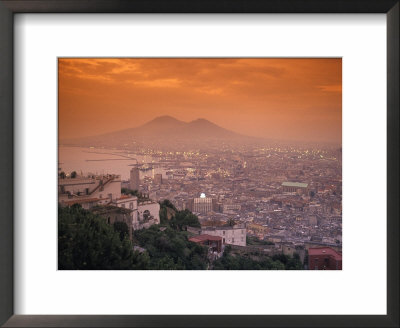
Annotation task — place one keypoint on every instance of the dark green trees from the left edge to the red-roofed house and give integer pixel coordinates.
(86, 241)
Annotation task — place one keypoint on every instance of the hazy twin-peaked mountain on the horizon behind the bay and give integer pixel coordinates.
(162, 131)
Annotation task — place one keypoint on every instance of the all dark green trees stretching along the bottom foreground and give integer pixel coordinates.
(87, 242)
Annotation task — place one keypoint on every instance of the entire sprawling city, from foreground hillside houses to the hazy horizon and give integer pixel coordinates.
(279, 199)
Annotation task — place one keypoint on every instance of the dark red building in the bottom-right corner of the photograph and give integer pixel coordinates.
(324, 258)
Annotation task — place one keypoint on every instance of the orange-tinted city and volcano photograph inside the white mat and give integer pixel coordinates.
(200, 164)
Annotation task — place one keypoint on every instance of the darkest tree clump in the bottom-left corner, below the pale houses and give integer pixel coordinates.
(87, 242)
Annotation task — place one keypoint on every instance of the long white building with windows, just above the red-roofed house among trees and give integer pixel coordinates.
(235, 235)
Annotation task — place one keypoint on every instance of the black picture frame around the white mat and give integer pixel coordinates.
(7, 10)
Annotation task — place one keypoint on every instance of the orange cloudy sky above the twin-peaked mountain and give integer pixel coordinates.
(298, 99)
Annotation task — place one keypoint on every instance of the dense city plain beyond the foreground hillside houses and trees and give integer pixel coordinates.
(286, 194)
